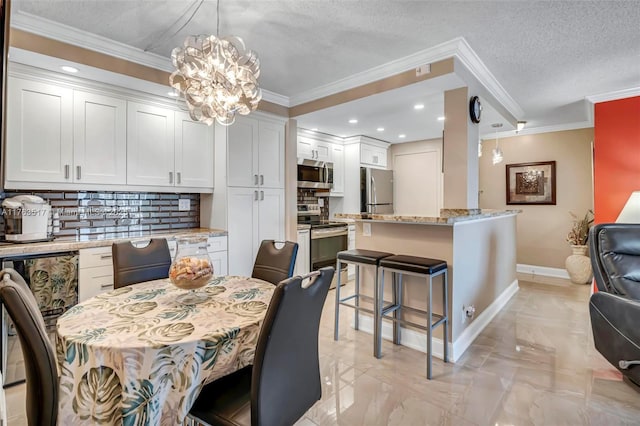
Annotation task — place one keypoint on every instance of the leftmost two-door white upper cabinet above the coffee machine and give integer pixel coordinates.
(61, 135)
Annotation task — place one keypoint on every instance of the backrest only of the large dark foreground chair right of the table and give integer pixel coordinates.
(285, 380)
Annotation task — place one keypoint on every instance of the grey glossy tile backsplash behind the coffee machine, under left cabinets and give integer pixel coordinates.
(115, 214)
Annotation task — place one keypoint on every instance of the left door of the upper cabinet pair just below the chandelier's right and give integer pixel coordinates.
(242, 152)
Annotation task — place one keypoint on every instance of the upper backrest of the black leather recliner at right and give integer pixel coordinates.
(614, 249)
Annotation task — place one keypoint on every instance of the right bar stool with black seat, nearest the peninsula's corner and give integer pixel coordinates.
(421, 267)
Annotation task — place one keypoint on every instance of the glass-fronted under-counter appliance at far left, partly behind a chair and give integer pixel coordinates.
(53, 280)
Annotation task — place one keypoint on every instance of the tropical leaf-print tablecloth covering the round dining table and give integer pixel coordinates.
(138, 356)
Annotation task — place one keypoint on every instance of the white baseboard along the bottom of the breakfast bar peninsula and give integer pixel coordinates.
(418, 340)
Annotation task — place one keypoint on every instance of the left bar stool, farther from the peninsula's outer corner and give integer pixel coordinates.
(358, 258)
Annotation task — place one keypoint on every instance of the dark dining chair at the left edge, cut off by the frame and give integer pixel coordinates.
(39, 355)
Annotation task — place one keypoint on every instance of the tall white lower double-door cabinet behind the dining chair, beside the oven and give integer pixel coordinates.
(255, 214)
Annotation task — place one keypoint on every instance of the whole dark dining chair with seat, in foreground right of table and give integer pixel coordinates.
(284, 381)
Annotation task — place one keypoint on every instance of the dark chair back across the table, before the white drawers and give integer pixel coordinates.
(137, 264)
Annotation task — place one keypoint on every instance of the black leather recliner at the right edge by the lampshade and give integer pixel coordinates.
(615, 308)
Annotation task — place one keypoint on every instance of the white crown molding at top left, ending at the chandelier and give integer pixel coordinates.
(66, 34)
